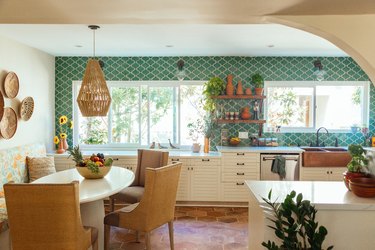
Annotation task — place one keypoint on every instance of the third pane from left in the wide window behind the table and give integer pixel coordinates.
(163, 114)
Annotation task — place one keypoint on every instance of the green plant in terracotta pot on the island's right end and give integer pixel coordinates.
(358, 166)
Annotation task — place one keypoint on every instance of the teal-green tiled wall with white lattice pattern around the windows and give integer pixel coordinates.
(69, 69)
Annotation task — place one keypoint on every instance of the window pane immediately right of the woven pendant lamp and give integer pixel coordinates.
(125, 115)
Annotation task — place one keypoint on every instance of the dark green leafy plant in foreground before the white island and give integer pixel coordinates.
(294, 224)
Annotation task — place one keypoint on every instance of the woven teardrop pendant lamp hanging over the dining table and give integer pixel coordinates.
(93, 98)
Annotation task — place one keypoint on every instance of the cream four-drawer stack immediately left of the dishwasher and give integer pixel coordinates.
(235, 169)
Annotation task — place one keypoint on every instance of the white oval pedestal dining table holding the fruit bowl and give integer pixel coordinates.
(92, 193)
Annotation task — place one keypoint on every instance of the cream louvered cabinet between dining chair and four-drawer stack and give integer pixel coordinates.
(199, 179)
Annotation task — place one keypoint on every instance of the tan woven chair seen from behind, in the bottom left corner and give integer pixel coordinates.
(47, 216)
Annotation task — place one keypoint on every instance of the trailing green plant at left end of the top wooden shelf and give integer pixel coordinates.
(215, 86)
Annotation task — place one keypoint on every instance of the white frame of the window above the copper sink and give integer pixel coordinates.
(314, 84)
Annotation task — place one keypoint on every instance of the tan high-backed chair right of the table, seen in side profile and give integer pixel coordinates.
(156, 207)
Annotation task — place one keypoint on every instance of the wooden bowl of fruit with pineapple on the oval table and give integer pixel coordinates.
(94, 167)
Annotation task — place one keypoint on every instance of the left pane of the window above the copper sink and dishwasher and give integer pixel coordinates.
(290, 107)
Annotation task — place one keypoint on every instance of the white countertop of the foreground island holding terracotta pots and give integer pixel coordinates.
(326, 195)
